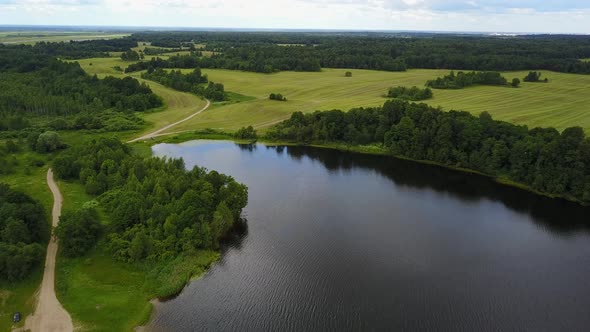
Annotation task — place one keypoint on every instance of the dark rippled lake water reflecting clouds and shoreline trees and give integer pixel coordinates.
(348, 242)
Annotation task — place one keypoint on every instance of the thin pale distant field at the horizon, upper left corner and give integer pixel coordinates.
(32, 37)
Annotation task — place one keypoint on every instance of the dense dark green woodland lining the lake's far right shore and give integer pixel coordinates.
(542, 158)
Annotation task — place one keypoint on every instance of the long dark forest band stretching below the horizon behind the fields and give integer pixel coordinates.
(268, 52)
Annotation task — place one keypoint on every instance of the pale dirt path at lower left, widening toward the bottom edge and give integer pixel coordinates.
(49, 315)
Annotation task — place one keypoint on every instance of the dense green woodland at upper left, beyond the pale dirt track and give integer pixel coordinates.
(35, 85)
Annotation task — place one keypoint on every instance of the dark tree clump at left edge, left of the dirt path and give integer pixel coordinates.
(23, 232)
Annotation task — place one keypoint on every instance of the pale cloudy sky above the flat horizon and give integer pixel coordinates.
(536, 16)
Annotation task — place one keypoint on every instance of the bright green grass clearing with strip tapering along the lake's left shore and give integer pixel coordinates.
(105, 295)
